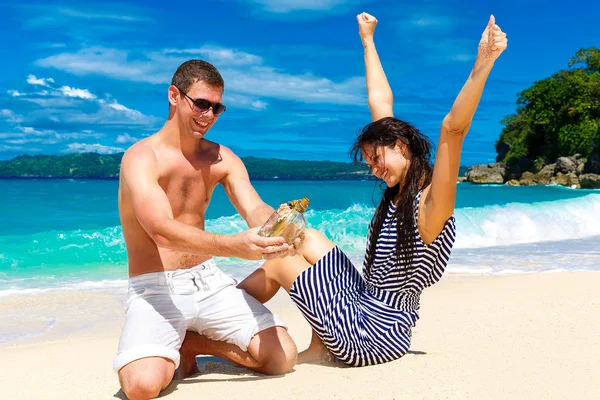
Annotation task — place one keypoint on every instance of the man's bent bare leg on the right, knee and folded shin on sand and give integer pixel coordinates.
(271, 352)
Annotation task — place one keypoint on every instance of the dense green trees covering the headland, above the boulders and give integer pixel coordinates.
(557, 116)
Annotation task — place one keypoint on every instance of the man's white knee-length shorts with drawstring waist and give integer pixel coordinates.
(162, 306)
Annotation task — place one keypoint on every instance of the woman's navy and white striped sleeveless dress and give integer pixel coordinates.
(367, 320)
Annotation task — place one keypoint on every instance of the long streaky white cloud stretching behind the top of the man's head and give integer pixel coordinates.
(246, 77)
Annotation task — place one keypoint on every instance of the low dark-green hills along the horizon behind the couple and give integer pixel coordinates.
(106, 166)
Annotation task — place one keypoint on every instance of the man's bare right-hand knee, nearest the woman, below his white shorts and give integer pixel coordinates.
(278, 352)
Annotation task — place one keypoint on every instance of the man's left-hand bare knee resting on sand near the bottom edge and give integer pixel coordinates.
(141, 381)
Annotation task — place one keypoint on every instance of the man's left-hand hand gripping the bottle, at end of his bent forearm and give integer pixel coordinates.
(250, 245)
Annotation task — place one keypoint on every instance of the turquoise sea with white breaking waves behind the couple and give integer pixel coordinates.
(65, 234)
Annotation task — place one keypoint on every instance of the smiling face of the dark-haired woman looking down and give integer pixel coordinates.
(387, 163)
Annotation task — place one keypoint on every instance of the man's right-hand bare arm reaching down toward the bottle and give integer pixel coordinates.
(243, 196)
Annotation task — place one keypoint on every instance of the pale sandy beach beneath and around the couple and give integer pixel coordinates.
(490, 337)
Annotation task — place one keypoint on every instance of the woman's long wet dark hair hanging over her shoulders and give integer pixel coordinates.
(385, 133)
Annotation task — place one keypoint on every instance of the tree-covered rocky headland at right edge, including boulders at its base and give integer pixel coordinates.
(554, 136)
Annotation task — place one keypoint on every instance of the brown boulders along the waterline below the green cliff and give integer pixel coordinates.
(572, 172)
